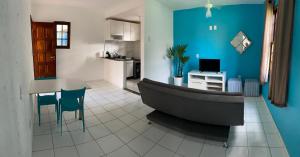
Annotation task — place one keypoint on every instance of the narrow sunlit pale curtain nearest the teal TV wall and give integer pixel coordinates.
(267, 42)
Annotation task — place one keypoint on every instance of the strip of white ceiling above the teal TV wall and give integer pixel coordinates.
(184, 4)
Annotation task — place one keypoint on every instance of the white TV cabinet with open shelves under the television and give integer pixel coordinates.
(214, 81)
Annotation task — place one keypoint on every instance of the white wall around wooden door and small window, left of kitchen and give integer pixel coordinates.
(87, 39)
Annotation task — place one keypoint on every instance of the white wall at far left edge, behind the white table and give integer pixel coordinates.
(16, 73)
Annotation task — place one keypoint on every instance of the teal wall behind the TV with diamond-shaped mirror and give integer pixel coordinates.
(192, 27)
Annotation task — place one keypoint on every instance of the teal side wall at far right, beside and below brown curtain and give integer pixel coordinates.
(288, 119)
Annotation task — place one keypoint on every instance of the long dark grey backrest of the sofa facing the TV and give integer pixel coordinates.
(191, 105)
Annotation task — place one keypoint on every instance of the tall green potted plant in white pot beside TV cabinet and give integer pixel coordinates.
(176, 54)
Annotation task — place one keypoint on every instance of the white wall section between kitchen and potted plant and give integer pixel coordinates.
(158, 37)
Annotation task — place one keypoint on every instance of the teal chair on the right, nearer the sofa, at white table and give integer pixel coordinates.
(72, 100)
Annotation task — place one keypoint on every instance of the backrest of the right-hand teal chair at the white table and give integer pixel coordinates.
(74, 94)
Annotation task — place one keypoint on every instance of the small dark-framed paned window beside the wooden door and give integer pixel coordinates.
(63, 33)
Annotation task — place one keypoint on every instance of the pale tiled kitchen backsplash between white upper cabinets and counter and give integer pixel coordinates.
(124, 48)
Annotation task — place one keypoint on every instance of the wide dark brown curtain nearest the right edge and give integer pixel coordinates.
(281, 55)
